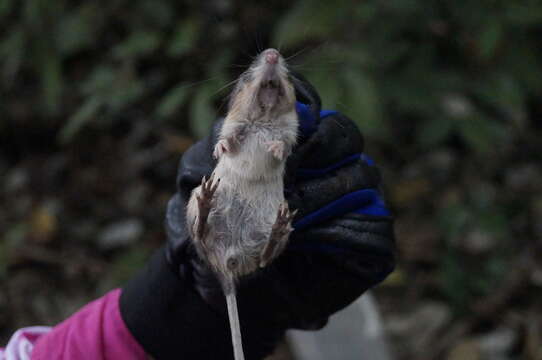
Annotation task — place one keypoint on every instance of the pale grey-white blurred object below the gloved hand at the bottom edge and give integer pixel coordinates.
(355, 333)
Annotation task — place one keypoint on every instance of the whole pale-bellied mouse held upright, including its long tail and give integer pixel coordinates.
(238, 218)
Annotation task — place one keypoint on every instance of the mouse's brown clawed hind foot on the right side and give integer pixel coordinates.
(278, 238)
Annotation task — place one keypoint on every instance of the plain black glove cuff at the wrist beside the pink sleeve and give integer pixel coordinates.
(169, 319)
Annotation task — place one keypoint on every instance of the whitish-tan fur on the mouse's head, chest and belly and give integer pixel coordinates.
(245, 206)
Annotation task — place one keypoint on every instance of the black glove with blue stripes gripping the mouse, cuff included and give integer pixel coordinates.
(342, 244)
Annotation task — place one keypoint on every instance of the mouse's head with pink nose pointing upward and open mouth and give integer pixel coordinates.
(264, 89)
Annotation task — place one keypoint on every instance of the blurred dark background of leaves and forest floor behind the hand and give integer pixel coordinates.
(99, 99)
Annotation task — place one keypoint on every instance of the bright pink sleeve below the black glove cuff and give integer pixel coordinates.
(97, 331)
